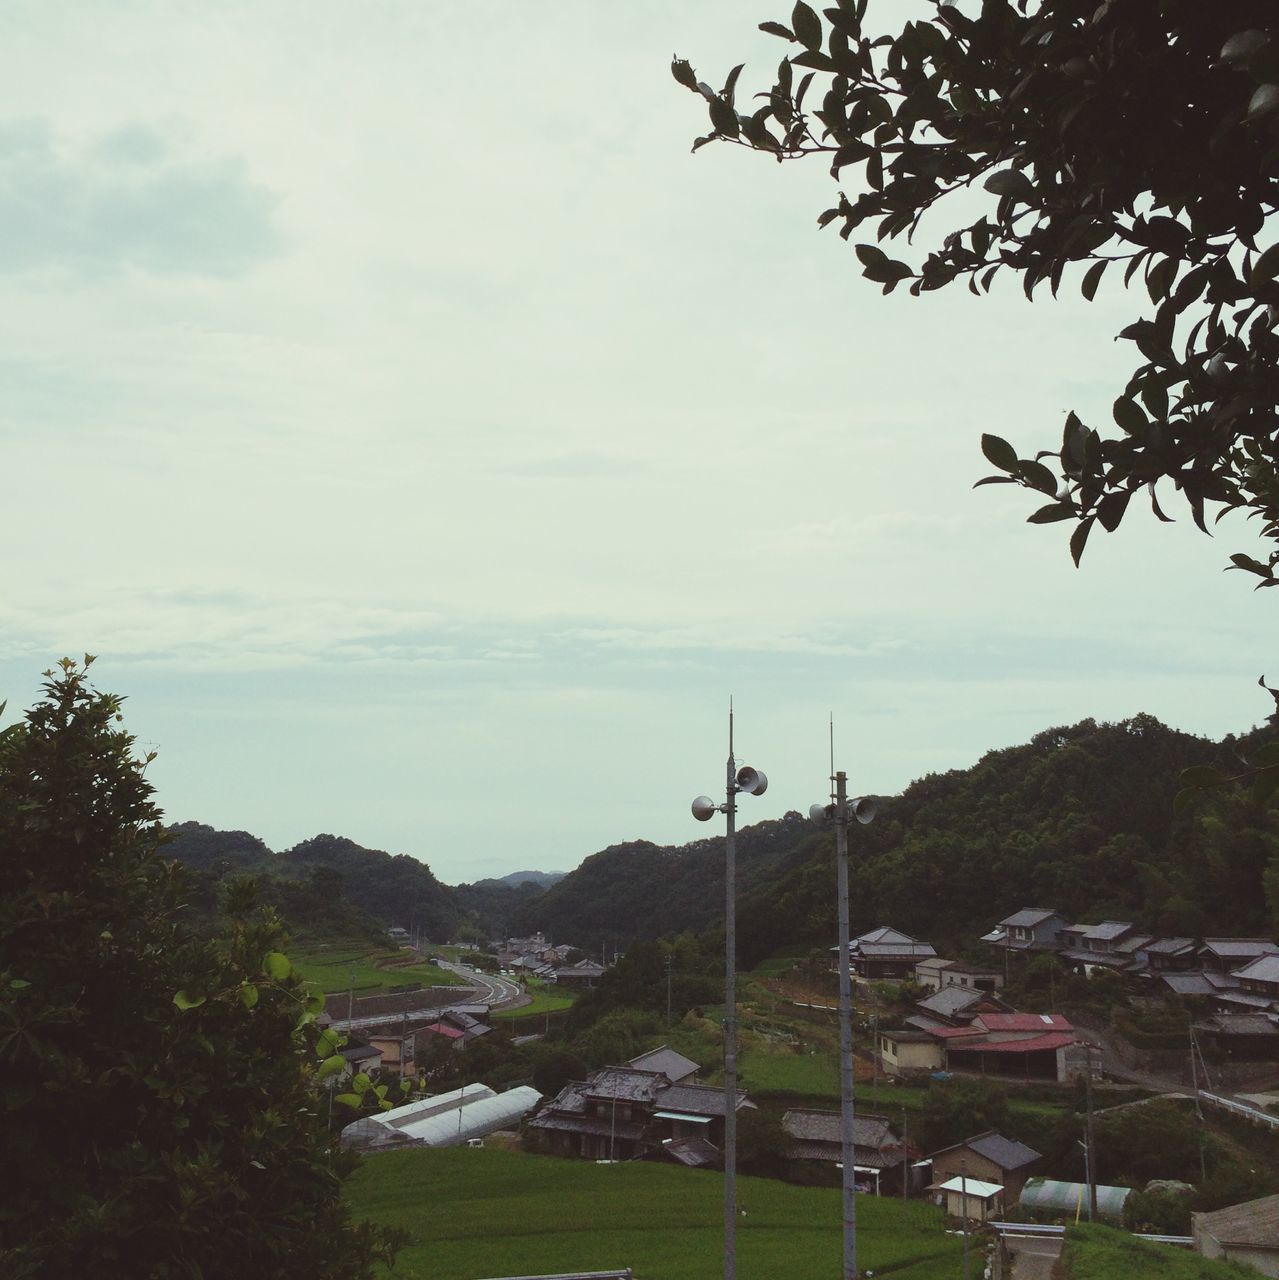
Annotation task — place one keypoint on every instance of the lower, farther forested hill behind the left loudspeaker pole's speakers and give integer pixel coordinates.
(641, 890)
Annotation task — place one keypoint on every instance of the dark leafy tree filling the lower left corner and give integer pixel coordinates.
(159, 1090)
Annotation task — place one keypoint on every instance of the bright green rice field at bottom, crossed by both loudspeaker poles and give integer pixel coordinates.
(494, 1214)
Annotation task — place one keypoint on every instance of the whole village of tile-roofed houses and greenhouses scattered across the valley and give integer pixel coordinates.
(925, 1021)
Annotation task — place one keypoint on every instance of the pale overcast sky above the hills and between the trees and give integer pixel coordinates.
(430, 446)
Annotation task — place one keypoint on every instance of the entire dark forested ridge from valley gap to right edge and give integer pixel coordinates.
(1080, 820)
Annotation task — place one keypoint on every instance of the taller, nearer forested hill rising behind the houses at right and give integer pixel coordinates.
(1080, 820)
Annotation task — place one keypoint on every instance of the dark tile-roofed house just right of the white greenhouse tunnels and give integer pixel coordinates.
(623, 1113)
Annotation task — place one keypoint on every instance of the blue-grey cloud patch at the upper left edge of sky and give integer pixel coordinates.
(127, 200)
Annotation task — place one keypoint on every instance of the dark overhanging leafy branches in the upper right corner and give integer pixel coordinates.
(1107, 136)
